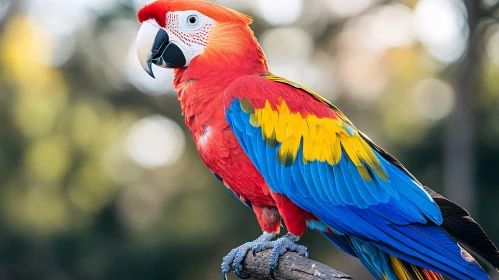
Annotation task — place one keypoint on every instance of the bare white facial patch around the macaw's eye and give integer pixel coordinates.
(189, 30)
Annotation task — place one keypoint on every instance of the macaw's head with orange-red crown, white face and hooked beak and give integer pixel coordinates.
(176, 33)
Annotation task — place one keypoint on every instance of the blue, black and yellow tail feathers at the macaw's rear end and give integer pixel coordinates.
(386, 262)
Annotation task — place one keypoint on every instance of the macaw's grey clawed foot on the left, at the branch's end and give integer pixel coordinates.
(234, 260)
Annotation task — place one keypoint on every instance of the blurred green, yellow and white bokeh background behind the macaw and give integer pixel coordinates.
(99, 178)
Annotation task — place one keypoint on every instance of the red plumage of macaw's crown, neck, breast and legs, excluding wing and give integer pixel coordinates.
(201, 89)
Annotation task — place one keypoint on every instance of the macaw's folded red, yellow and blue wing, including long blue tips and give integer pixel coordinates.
(307, 150)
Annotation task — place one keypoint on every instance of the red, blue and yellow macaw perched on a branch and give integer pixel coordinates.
(291, 156)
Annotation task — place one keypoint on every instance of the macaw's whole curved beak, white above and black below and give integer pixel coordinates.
(154, 47)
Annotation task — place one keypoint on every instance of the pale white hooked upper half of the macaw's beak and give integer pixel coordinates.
(151, 43)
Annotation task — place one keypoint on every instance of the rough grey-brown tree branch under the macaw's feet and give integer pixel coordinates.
(291, 267)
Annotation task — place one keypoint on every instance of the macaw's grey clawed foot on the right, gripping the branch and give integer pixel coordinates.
(279, 248)
